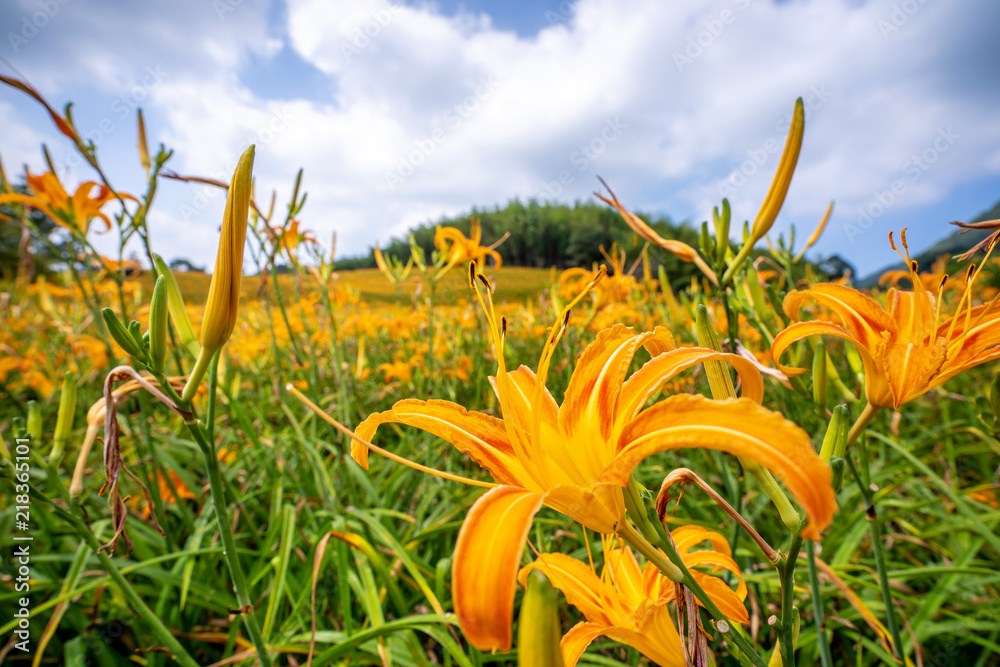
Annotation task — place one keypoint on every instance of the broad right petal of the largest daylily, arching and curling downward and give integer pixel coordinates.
(738, 426)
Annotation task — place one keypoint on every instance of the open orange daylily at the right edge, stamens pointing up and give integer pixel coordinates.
(907, 346)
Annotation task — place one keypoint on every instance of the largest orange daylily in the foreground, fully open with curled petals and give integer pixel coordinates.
(575, 458)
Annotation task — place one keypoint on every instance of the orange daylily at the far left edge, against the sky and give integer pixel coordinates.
(75, 212)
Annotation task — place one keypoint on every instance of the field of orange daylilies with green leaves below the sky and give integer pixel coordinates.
(448, 461)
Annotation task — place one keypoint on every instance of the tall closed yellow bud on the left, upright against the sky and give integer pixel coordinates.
(222, 306)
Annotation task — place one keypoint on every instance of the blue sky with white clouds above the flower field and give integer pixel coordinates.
(401, 113)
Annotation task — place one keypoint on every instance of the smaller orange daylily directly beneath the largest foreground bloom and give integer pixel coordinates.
(630, 605)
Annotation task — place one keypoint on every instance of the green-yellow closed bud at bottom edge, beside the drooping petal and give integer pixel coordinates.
(538, 633)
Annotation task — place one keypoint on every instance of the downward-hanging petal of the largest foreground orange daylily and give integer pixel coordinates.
(484, 570)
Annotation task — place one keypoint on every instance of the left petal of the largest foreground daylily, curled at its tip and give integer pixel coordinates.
(482, 437)
